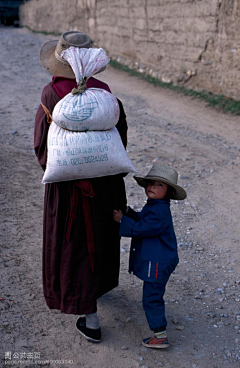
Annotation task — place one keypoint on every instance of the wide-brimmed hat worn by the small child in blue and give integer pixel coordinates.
(165, 174)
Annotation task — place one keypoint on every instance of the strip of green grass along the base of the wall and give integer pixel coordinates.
(219, 102)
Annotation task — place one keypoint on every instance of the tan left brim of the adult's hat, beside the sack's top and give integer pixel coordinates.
(51, 63)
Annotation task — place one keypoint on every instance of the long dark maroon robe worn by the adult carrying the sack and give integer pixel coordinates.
(68, 281)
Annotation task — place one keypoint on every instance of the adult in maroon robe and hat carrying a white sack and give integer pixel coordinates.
(77, 214)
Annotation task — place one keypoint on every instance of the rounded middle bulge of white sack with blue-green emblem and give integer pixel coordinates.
(94, 109)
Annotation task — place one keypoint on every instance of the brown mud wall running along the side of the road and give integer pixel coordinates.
(195, 43)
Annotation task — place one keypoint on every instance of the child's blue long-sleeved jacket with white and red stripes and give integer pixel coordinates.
(153, 254)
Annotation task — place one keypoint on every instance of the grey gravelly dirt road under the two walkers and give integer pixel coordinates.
(203, 294)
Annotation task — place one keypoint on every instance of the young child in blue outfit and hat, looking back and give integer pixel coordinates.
(153, 254)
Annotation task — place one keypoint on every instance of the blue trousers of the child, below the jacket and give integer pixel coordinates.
(153, 304)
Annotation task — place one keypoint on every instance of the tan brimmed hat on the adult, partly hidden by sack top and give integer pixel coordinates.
(51, 51)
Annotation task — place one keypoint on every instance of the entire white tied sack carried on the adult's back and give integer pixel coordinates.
(83, 141)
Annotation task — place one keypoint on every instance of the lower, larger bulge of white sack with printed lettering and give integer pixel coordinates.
(82, 155)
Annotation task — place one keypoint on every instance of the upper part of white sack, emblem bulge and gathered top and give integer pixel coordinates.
(95, 108)
